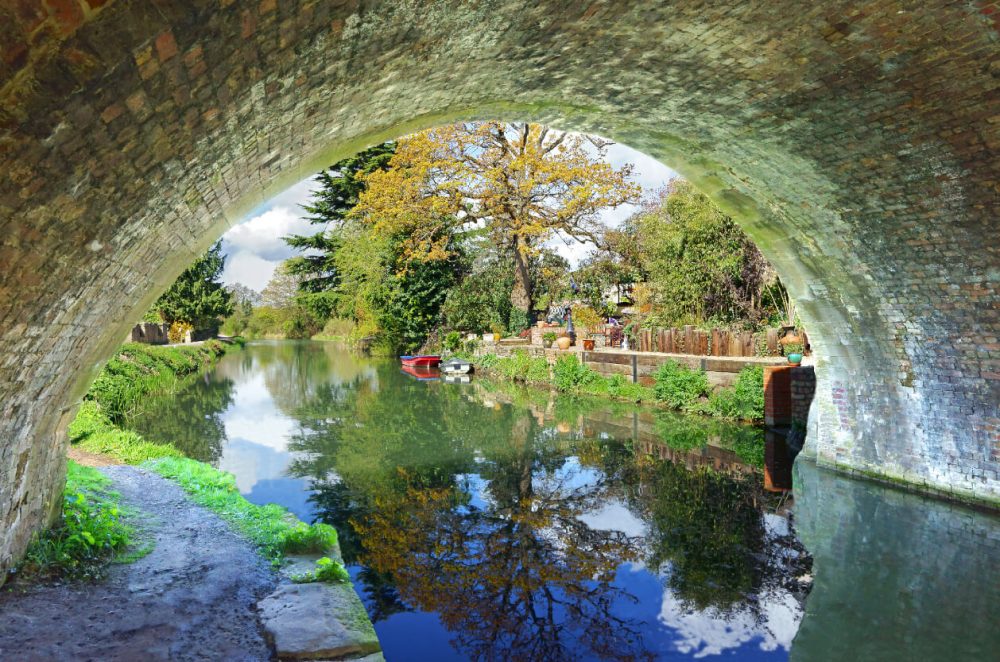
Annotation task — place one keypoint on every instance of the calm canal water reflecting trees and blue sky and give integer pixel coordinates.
(487, 521)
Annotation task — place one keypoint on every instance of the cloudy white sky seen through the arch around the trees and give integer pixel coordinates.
(254, 246)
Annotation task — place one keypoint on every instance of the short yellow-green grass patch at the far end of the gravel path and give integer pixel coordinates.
(94, 432)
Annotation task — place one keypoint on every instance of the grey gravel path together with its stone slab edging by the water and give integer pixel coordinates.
(194, 596)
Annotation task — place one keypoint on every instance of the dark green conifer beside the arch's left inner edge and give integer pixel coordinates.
(198, 296)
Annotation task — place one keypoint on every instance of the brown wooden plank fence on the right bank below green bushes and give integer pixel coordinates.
(716, 342)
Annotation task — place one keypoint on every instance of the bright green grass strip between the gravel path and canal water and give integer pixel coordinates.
(271, 528)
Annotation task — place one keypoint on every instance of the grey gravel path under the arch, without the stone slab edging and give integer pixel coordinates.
(192, 598)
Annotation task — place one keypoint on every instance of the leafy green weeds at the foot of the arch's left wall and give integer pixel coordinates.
(90, 533)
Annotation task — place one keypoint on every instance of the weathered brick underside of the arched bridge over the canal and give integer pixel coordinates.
(855, 141)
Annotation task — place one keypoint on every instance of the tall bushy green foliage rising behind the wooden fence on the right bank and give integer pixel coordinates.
(701, 266)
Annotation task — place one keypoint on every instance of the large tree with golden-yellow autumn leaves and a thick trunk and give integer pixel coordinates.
(520, 184)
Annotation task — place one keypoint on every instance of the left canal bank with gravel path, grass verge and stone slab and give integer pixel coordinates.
(293, 601)
